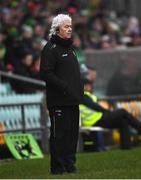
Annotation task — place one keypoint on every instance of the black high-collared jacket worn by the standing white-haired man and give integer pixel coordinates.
(59, 68)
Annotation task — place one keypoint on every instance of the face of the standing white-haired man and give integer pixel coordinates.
(65, 30)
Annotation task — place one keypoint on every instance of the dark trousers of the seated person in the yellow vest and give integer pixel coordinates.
(121, 120)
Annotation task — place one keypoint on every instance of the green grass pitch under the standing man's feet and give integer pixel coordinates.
(114, 164)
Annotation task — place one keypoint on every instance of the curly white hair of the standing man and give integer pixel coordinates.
(57, 22)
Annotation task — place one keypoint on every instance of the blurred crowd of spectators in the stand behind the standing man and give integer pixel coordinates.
(25, 24)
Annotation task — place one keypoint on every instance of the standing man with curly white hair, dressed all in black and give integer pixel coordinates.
(60, 69)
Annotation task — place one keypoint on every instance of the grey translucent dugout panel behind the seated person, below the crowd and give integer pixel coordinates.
(118, 71)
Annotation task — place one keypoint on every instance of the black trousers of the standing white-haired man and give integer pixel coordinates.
(63, 137)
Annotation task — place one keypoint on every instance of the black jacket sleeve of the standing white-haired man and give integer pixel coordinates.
(47, 70)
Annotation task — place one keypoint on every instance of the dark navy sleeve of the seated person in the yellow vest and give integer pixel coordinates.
(93, 105)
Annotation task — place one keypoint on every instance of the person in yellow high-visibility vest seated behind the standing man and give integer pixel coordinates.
(92, 114)
